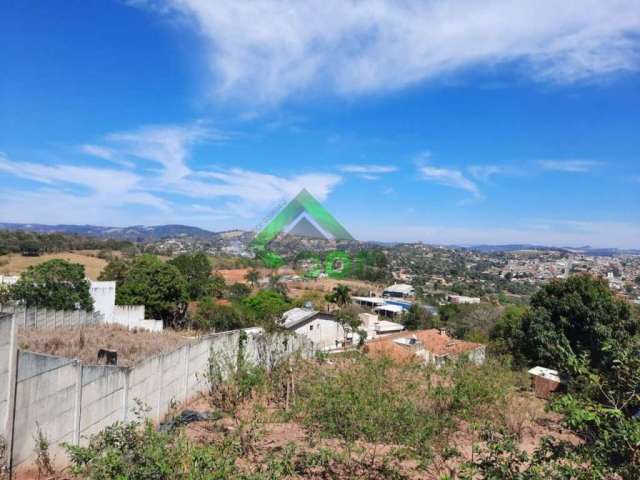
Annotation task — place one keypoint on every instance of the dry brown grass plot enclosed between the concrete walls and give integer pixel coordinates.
(83, 343)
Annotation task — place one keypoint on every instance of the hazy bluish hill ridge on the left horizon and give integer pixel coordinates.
(135, 233)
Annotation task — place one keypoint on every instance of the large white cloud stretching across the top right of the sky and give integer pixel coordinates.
(268, 50)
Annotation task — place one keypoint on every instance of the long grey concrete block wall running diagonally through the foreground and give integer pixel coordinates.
(70, 401)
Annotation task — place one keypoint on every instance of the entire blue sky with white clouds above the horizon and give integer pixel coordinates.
(447, 122)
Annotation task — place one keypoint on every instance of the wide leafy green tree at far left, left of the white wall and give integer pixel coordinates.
(54, 284)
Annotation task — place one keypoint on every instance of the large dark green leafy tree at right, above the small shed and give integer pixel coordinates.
(575, 317)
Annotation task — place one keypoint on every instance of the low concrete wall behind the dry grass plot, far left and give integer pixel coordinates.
(33, 317)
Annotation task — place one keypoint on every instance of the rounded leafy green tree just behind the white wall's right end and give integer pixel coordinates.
(158, 286)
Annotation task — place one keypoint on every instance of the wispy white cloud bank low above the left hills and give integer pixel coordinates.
(158, 170)
